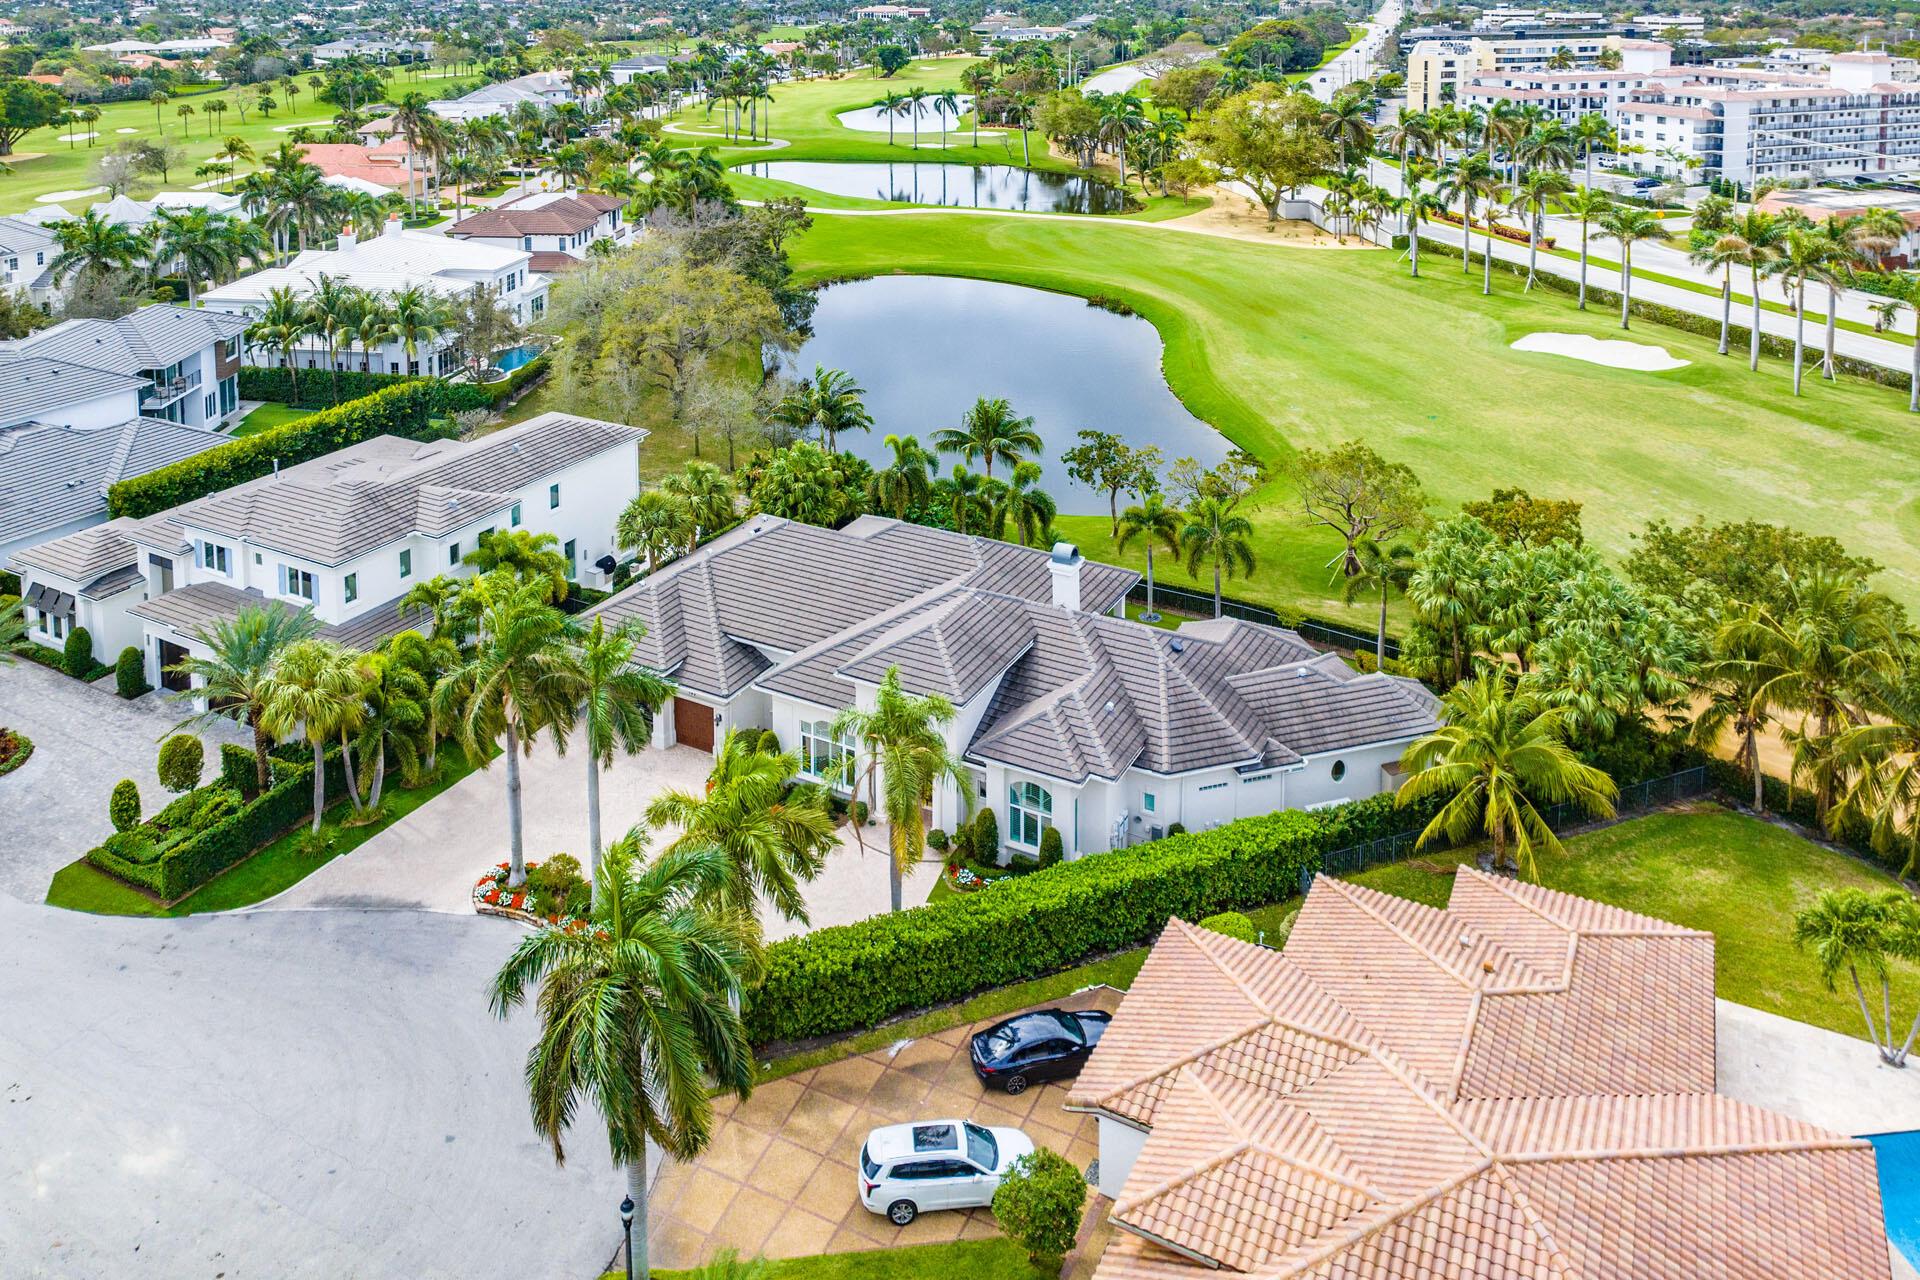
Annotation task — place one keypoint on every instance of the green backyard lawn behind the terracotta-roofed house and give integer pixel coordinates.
(1739, 878)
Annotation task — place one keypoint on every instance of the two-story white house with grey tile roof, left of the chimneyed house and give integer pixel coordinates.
(347, 536)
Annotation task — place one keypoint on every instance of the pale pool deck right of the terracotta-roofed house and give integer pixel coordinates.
(1819, 1078)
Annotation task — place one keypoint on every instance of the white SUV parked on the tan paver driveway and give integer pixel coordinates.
(907, 1170)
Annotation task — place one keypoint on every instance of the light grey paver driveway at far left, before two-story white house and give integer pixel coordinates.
(85, 740)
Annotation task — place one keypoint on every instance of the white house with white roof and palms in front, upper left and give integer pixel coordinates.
(387, 264)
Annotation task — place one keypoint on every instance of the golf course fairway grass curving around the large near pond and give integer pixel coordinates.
(1285, 348)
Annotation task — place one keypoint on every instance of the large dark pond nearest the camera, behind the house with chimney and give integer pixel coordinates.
(928, 346)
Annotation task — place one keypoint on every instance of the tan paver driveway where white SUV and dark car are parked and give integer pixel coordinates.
(779, 1177)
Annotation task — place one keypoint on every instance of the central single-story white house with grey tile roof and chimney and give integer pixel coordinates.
(1068, 715)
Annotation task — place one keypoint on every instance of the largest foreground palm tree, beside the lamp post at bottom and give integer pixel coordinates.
(638, 1014)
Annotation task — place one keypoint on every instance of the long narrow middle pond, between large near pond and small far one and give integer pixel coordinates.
(967, 187)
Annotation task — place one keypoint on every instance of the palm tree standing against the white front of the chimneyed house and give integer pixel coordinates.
(907, 757)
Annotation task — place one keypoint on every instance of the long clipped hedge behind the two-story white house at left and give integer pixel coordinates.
(408, 410)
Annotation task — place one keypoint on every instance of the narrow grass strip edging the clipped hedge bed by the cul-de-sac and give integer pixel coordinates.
(283, 865)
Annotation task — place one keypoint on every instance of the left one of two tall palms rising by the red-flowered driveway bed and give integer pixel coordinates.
(519, 680)
